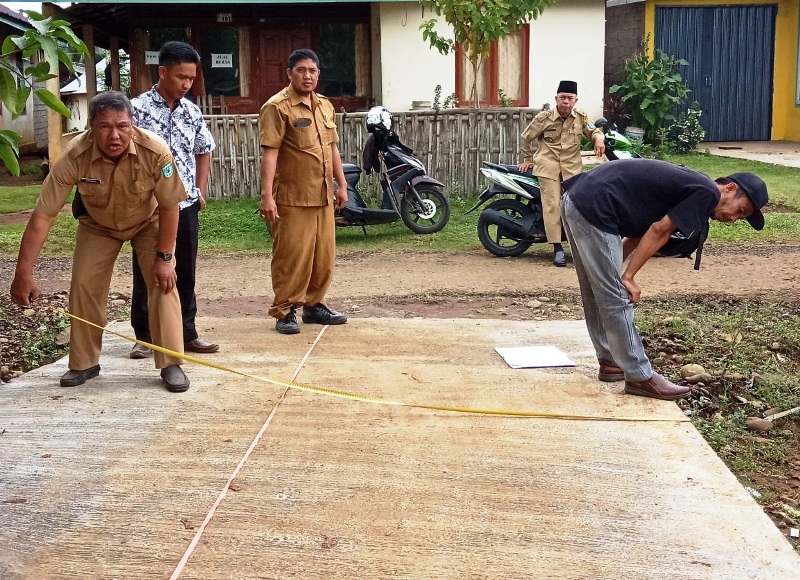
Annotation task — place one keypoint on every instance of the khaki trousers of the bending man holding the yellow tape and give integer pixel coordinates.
(92, 266)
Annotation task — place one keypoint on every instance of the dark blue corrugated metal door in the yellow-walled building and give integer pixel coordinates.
(730, 50)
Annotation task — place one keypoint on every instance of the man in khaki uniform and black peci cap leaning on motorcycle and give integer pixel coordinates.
(557, 133)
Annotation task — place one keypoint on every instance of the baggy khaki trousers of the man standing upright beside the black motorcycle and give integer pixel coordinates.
(303, 256)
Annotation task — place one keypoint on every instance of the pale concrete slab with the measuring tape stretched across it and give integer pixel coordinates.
(116, 478)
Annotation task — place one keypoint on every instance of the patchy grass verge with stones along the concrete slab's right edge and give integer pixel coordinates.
(752, 347)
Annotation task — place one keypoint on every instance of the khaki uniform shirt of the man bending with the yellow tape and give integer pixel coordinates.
(119, 196)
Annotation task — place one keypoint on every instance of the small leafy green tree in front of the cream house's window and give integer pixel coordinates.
(476, 24)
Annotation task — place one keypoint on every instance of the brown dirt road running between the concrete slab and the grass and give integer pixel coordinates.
(456, 284)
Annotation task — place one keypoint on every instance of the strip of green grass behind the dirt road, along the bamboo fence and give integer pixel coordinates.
(234, 226)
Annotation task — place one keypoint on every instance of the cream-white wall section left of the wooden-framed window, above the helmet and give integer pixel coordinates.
(410, 68)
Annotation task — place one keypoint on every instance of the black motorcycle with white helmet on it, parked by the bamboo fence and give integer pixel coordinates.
(409, 194)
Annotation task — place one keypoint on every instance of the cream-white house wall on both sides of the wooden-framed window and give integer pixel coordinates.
(567, 42)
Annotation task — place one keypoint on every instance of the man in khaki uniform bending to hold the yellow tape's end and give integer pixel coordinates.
(130, 191)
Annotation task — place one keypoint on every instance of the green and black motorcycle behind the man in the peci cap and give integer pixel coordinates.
(508, 226)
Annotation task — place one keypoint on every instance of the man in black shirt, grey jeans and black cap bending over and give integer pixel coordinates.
(629, 209)
